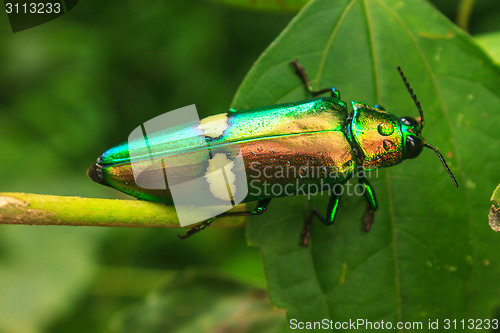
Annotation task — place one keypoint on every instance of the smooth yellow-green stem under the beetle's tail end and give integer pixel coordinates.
(36, 209)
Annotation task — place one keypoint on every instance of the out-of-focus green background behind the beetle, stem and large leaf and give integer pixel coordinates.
(73, 87)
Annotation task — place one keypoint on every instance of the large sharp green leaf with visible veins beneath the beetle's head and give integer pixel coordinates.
(428, 254)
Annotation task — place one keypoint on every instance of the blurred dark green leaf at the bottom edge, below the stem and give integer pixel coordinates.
(197, 301)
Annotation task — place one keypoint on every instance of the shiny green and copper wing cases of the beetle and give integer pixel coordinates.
(309, 133)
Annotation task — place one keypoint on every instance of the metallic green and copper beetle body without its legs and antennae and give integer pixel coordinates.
(313, 134)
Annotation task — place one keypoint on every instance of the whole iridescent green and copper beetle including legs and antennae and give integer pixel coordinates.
(318, 132)
